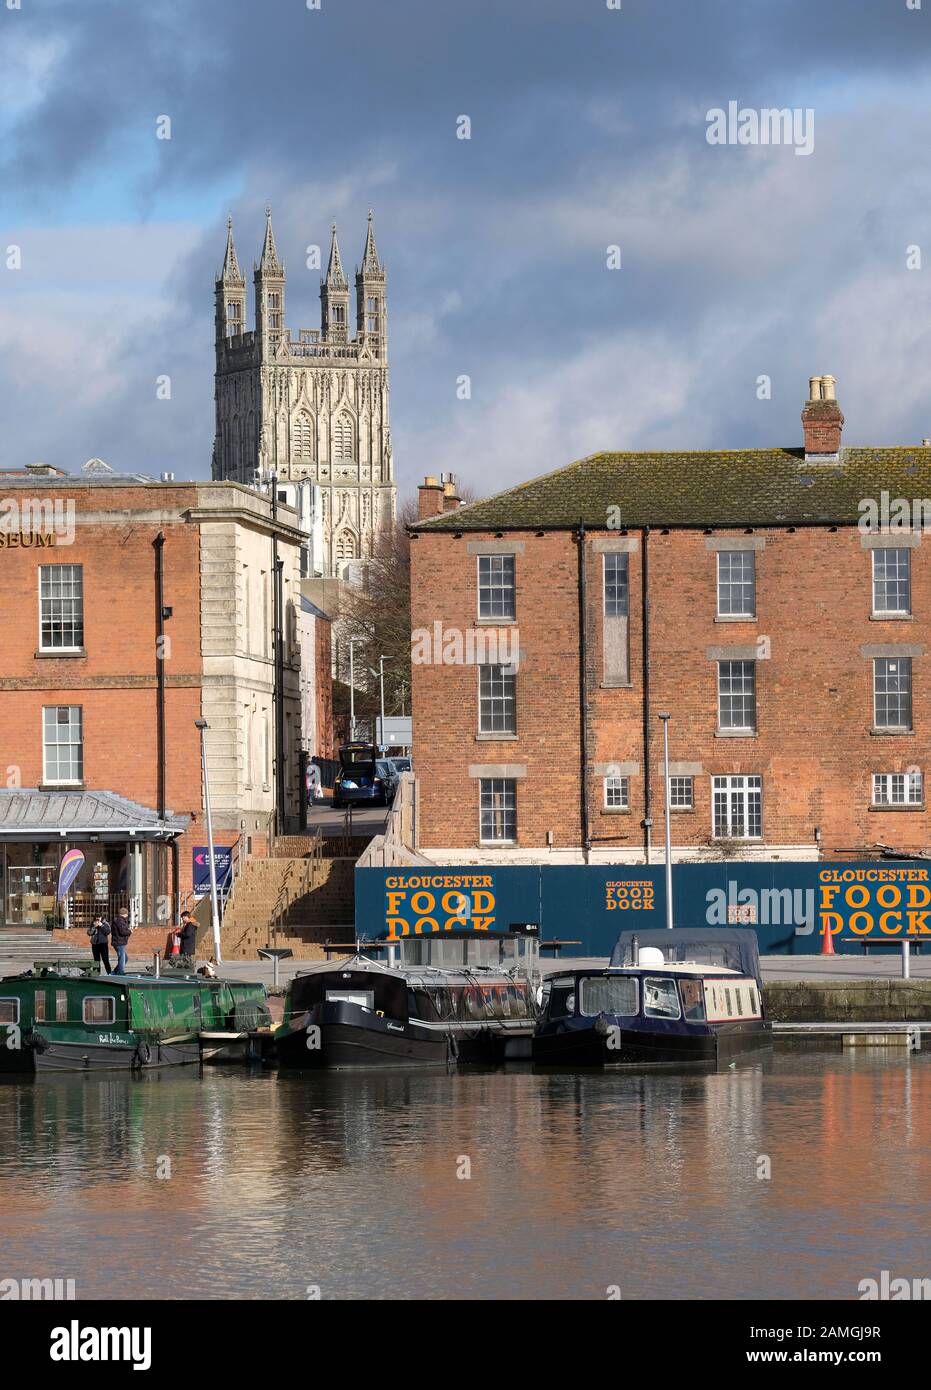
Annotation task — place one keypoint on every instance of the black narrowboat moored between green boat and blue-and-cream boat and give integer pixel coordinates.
(454, 999)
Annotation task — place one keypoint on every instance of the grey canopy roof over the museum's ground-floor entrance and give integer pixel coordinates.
(101, 812)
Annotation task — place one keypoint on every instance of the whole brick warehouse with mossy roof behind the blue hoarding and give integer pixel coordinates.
(736, 591)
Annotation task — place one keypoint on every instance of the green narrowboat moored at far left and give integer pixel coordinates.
(79, 1021)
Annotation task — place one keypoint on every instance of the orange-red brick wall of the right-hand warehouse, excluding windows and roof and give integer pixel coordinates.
(814, 747)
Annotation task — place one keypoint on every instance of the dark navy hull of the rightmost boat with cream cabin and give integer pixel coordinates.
(643, 1049)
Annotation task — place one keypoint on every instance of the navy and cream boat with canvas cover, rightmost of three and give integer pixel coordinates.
(668, 999)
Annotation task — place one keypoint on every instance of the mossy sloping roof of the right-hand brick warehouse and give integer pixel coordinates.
(723, 489)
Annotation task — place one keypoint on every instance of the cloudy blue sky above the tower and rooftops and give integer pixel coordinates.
(587, 131)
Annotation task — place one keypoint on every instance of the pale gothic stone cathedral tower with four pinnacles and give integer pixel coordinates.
(313, 405)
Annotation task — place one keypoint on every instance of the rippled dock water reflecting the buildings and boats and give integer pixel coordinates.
(352, 1182)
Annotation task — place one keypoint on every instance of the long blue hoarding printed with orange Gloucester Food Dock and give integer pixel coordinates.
(791, 906)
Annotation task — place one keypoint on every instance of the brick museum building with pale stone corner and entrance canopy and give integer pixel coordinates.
(99, 696)
